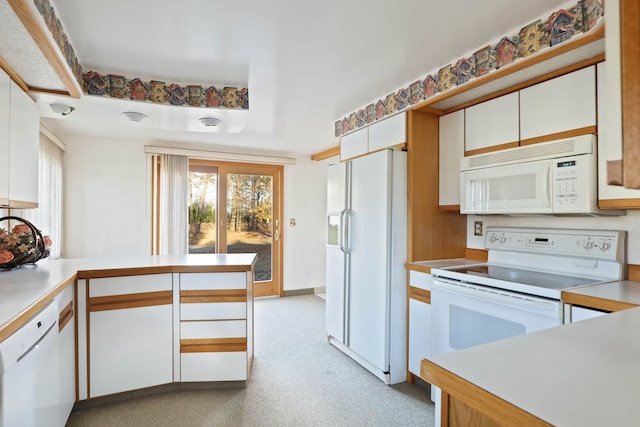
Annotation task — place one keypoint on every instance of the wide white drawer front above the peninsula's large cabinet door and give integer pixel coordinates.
(129, 285)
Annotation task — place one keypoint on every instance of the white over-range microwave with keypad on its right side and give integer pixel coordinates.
(558, 177)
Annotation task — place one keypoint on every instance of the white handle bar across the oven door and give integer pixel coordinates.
(494, 296)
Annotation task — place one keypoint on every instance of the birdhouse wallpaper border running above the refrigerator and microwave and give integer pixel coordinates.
(559, 27)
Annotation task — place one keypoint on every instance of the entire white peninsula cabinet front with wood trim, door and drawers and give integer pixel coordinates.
(142, 331)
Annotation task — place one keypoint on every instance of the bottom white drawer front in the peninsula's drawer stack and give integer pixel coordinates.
(230, 366)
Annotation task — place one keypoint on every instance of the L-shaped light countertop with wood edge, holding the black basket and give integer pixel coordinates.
(25, 290)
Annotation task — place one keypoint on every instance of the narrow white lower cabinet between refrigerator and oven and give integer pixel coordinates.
(419, 319)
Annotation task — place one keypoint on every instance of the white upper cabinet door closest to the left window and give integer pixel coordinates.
(24, 149)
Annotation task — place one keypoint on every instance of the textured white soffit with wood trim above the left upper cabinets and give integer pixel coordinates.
(29, 53)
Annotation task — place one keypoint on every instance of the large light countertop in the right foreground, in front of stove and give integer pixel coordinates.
(582, 374)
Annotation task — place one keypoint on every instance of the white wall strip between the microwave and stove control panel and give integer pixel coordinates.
(629, 223)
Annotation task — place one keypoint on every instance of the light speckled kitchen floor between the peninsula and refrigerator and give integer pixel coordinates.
(298, 379)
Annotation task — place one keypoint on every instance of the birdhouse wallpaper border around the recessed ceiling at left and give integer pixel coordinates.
(116, 86)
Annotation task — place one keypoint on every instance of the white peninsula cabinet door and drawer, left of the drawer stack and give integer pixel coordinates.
(130, 333)
